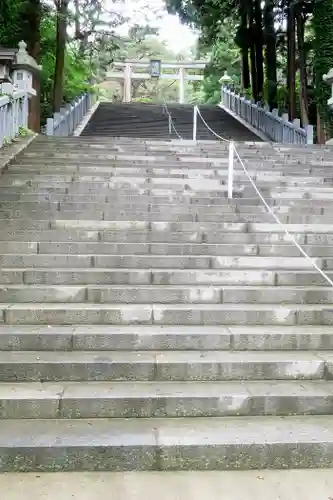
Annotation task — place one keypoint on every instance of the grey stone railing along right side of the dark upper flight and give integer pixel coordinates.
(274, 127)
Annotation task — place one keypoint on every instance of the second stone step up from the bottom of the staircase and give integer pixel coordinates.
(74, 400)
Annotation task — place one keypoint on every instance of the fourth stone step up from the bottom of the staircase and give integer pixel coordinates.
(166, 338)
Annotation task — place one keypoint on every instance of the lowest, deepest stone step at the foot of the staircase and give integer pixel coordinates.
(166, 444)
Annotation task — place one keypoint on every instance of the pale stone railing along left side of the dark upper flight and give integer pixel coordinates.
(69, 118)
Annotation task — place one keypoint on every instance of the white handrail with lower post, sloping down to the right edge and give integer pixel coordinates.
(232, 151)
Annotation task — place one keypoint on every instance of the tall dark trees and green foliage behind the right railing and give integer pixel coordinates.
(284, 47)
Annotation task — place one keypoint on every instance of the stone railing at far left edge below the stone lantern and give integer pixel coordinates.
(14, 112)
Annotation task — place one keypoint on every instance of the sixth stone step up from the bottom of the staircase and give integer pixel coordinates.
(165, 294)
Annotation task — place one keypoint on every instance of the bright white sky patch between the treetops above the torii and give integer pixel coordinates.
(177, 36)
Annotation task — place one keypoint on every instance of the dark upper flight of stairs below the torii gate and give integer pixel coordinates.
(149, 121)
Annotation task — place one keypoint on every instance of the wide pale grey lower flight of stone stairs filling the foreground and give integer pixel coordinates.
(148, 323)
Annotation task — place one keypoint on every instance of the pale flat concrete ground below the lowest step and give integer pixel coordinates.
(244, 485)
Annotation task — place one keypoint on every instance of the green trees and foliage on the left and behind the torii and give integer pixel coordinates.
(75, 41)
